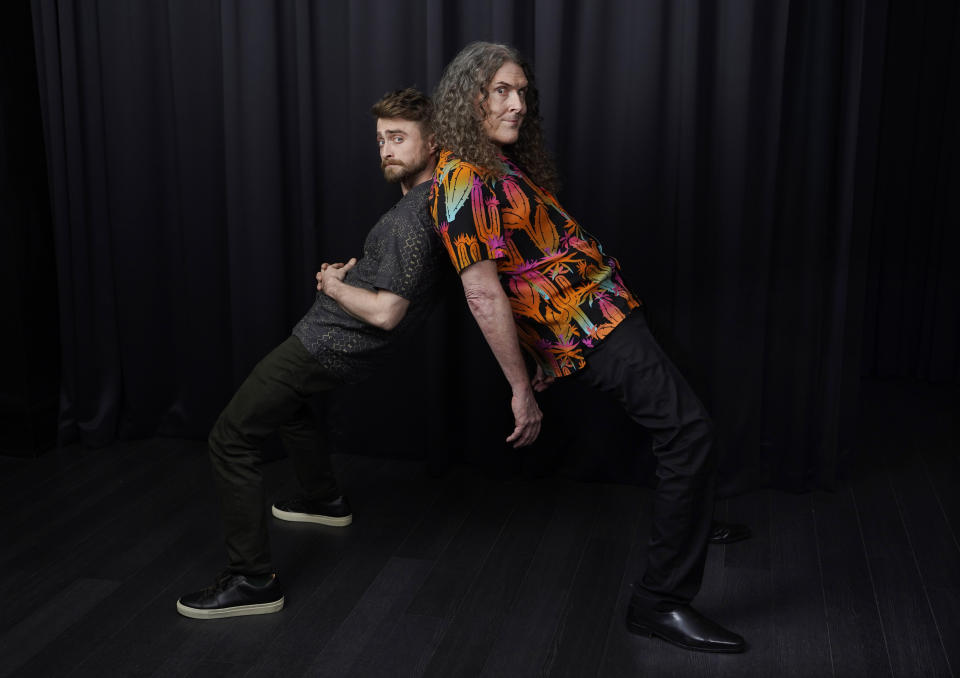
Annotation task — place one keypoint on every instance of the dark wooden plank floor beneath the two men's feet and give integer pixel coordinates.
(468, 575)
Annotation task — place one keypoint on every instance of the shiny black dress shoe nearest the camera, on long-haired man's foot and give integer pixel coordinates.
(684, 627)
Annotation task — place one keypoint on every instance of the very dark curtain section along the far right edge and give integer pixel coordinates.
(912, 324)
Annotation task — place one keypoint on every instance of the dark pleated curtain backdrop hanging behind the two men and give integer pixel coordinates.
(776, 177)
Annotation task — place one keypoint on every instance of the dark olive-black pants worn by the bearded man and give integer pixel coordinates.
(273, 397)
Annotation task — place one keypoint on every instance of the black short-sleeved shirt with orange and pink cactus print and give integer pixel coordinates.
(566, 294)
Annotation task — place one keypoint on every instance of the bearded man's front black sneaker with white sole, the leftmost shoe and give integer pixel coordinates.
(232, 595)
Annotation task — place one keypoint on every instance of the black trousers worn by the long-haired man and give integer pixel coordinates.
(631, 366)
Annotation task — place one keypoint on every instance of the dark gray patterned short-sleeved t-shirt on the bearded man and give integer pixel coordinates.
(401, 254)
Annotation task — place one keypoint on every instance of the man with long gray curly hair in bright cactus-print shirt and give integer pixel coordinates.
(536, 281)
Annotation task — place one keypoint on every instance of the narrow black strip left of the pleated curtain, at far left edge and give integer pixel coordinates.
(29, 345)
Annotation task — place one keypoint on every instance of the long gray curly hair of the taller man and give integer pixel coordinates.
(458, 121)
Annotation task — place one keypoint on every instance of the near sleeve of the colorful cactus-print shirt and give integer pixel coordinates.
(467, 216)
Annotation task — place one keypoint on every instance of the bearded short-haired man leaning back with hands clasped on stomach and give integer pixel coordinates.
(362, 307)
